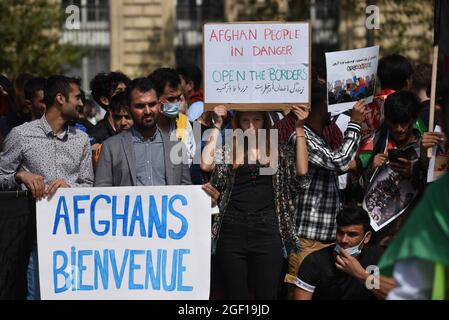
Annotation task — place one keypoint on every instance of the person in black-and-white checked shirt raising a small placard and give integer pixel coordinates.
(321, 201)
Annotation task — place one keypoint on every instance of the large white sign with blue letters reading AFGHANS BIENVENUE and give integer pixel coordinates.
(125, 243)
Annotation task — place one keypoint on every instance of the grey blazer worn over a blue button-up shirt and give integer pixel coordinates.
(116, 164)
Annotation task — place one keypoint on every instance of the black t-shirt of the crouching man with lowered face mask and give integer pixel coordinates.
(319, 274)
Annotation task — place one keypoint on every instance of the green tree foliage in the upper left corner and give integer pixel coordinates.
(30, 32)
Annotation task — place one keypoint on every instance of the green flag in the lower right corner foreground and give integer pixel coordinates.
(425, 236)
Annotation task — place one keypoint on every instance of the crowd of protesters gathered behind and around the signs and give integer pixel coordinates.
(302, 231)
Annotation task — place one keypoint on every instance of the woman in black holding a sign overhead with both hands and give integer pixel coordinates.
(257, 180)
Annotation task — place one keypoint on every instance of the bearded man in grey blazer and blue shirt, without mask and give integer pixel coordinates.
(140, 156)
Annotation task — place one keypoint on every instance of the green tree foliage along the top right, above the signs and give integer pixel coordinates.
(405, 26)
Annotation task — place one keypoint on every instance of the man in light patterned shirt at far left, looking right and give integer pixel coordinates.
(48, 153)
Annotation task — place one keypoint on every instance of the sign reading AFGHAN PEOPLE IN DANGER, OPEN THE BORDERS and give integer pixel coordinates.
(256, 64)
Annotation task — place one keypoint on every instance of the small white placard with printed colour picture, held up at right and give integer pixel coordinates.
(351, 76)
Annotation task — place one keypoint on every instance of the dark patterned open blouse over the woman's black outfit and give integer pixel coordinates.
(286, 185)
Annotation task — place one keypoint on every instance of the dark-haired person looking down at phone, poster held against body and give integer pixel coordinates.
(395, 176)
